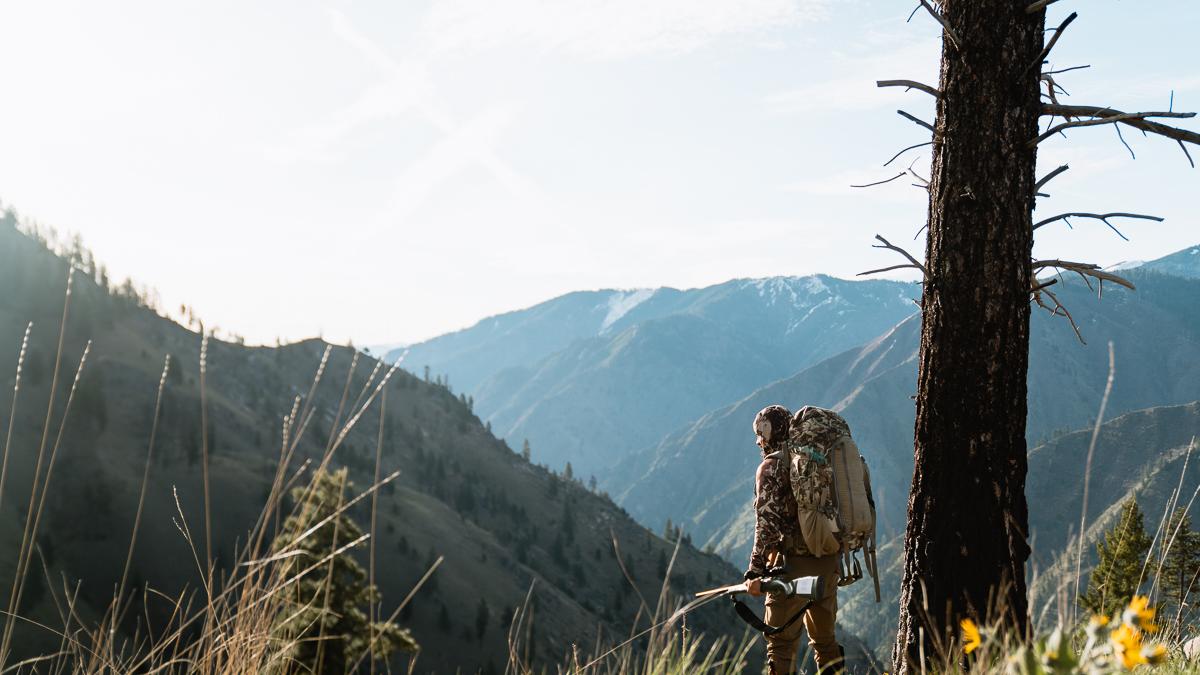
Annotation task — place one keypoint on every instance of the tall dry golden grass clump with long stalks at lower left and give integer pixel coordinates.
(225, 625)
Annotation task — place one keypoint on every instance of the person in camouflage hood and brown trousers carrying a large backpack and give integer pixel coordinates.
(813, 511)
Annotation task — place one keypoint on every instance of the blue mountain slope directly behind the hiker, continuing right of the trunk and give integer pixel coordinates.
(700, 475)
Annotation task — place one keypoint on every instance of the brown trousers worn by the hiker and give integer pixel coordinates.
(819, 620)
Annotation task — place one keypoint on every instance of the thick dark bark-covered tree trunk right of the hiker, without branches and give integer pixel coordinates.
(967, 539)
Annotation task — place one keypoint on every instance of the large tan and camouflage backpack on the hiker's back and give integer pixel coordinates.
(832, 486)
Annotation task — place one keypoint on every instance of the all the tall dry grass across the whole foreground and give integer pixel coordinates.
(225, 625)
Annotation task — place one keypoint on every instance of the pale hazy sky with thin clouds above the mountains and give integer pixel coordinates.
(392, 171)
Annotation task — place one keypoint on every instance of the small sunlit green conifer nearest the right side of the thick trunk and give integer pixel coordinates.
(1121, 555)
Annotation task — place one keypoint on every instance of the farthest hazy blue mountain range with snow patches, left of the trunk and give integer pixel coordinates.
(591, 378)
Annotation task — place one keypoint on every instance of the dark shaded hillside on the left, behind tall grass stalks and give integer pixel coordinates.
(502, 524)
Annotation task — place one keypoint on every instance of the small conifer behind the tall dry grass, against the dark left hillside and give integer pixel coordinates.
(325, 620)
